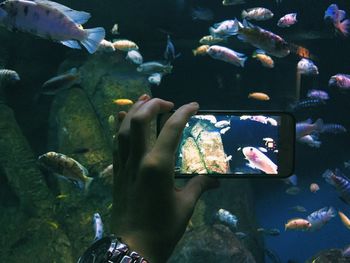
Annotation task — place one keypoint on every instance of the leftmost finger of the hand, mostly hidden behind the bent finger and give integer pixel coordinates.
(122, 145)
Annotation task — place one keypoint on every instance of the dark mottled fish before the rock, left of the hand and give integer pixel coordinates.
(66, 167)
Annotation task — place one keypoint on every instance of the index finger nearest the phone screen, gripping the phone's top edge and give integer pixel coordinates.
(170, 135)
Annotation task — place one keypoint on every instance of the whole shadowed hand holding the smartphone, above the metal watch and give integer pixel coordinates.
(149, 213)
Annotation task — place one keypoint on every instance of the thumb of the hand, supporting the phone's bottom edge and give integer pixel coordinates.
(195, 188)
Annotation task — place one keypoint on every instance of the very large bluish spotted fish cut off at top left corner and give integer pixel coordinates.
(51, 20)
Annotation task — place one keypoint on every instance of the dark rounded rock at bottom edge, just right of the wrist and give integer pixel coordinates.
(211, 244)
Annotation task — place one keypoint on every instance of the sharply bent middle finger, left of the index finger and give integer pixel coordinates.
(140, 125)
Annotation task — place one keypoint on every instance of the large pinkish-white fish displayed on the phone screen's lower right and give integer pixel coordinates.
(258, 160)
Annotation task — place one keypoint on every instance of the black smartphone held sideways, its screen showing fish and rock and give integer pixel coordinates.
(236, 144)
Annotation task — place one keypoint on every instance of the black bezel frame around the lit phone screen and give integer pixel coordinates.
(286, 155)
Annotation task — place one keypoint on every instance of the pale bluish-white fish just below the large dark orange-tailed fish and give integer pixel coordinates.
(227, 55)
